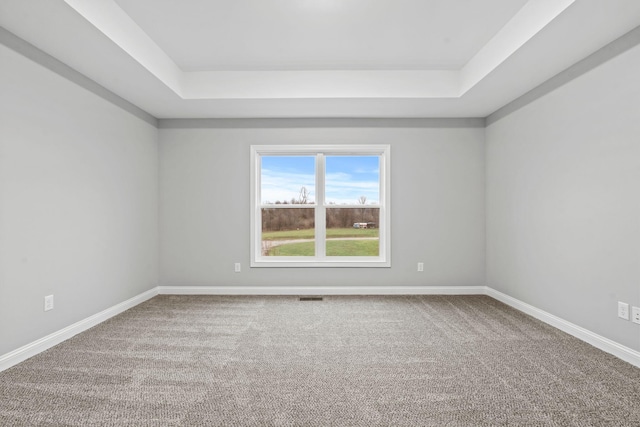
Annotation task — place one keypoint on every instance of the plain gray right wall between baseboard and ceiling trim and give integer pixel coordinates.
(563, 200)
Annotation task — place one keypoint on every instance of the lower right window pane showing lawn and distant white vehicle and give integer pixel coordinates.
(353, 231)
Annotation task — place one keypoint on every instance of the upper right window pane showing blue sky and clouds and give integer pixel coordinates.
(352, 180)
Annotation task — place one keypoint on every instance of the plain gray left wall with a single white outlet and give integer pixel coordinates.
(78, 202)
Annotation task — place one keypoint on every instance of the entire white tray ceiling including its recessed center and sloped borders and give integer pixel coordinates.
(319, 58)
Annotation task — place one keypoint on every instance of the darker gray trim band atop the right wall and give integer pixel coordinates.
(601, 56)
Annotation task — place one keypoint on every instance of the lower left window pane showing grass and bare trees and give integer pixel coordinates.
(288, 232)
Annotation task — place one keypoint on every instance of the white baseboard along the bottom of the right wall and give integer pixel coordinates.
(605, 344)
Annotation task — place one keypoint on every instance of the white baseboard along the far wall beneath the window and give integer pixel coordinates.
(321, 290)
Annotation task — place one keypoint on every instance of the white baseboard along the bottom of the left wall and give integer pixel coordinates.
(23, 353)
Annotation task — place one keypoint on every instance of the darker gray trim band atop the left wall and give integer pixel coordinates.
(47, 61)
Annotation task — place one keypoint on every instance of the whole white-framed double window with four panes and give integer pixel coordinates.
(320, 206)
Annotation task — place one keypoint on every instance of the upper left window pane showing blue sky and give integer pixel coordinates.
(287, 179)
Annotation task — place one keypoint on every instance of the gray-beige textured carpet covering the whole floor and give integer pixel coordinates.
(344, 361)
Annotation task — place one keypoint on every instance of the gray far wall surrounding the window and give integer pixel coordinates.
(437, 201)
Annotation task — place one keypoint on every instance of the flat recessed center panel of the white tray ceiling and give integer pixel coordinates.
(321, 34)
